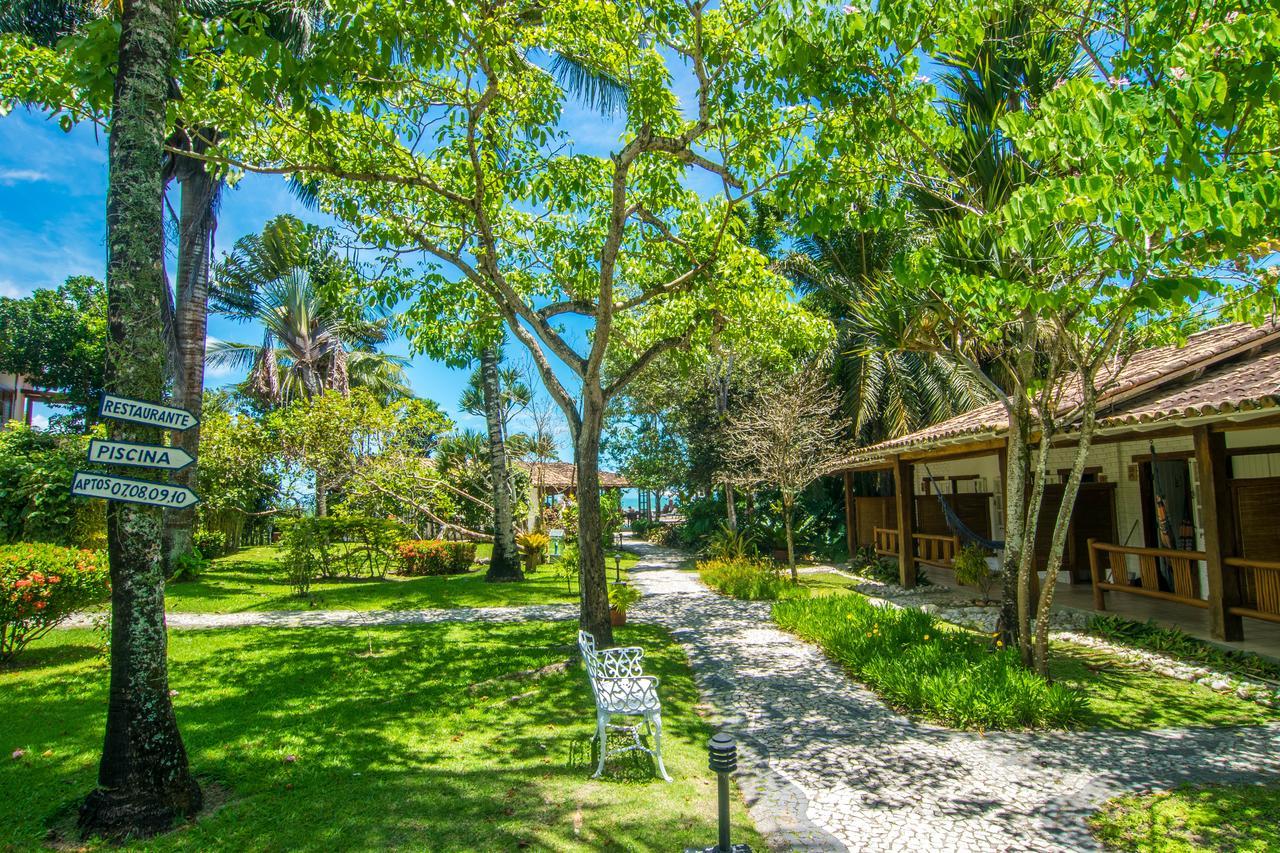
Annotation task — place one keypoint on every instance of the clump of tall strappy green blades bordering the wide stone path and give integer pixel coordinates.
(926, 667)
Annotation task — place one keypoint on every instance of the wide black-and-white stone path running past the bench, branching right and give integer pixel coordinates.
(828, 767)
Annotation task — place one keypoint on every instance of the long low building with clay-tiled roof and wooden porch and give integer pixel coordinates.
(1182, 485)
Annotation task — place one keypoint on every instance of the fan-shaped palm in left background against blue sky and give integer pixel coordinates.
(312, 344)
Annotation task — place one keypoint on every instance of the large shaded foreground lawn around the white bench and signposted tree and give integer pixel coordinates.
(394, 749)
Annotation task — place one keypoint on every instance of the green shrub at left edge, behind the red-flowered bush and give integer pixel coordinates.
(36, 504)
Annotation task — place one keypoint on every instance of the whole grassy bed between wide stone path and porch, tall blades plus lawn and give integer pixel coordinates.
(950, 676)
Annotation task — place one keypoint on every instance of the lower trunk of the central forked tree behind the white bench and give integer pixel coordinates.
(595, 617)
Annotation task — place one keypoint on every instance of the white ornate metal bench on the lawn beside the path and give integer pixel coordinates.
(623, 690)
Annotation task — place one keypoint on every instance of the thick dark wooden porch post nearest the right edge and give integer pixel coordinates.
(1219, 523)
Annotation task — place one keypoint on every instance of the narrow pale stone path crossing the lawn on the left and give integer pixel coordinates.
(359, 618)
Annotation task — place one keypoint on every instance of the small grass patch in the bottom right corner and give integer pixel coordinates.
(1192, 819)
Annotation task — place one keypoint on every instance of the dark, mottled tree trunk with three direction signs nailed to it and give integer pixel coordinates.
(144, 779)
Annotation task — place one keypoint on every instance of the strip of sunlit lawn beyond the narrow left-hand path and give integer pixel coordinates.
(253, 580)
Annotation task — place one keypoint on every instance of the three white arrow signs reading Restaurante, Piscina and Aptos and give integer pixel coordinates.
(156, 457)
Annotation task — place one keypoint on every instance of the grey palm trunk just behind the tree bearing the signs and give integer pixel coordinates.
(191, 318)
